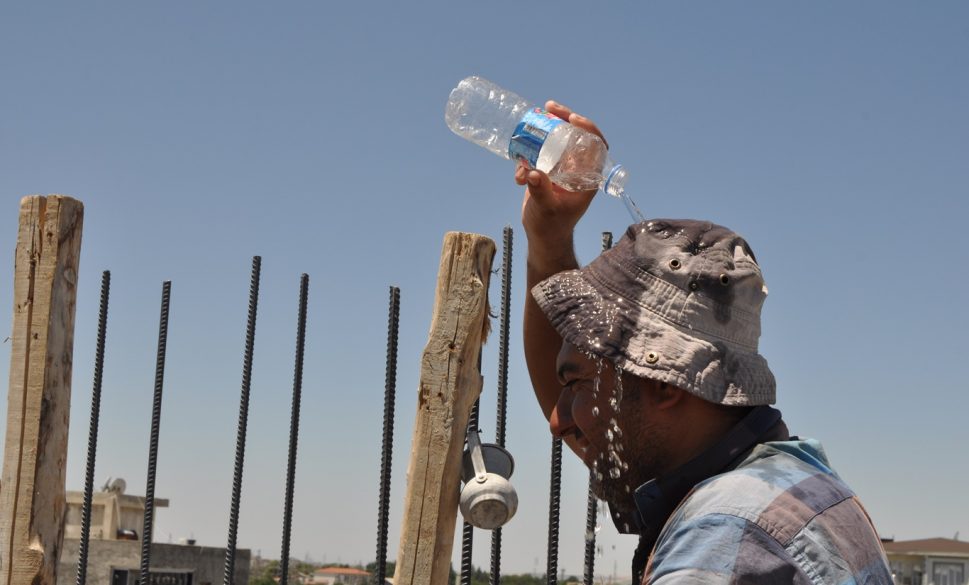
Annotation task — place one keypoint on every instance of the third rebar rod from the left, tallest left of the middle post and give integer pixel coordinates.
(230, 549)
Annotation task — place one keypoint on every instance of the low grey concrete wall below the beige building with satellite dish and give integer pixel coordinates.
(205, 563)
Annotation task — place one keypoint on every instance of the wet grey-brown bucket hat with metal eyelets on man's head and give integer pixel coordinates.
(677, 301)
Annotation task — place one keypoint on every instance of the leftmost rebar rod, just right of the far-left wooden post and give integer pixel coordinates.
(92, 441)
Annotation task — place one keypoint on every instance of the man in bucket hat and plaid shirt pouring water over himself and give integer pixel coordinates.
(645, 362)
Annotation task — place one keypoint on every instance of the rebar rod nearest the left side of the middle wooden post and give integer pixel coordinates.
(386, 451)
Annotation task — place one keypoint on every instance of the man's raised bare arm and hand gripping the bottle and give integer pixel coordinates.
(549, 216)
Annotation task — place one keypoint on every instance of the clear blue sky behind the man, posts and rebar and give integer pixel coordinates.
(834, 136)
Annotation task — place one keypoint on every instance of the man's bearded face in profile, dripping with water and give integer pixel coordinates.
(606, 419)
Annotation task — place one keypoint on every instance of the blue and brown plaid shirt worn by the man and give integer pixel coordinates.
(782, 515)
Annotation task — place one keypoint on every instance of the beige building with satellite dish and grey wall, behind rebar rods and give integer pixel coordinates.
(114, 548)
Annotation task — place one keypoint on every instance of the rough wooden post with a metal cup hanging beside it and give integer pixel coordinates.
(450, 383)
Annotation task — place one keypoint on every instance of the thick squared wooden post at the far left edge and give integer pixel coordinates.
(38, 405)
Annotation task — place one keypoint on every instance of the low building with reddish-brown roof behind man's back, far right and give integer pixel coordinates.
(930, 561)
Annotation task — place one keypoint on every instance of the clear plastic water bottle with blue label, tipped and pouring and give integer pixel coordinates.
(511, 127)
